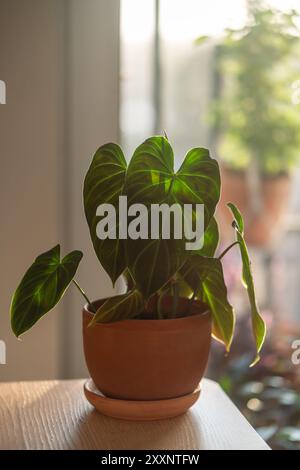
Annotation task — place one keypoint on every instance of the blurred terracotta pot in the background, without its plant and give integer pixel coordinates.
(260, 229)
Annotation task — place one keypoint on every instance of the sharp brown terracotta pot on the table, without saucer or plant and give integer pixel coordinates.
(148, 359)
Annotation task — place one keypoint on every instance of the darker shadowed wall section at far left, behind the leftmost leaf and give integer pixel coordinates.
(31, 154)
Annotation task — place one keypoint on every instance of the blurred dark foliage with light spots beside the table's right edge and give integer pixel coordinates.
(268, 395)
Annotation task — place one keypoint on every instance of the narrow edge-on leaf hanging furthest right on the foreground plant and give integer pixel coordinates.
(258, 324)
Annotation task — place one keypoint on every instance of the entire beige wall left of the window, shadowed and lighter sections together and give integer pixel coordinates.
(59, 59)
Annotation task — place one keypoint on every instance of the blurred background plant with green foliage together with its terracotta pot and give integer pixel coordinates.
(256, 123)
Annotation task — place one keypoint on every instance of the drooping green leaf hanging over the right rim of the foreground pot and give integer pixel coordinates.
(206, 279)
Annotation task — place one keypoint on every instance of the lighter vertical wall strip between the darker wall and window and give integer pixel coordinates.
(92, 116)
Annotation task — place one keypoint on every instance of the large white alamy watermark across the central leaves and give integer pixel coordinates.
(160, 221)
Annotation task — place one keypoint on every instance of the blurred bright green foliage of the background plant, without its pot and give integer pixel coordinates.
(254, 115)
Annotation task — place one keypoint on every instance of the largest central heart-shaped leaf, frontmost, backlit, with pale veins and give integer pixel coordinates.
(151, 180)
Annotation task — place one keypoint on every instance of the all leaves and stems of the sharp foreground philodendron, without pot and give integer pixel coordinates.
(152, 267)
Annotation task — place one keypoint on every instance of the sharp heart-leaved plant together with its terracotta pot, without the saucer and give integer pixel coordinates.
(151, 342)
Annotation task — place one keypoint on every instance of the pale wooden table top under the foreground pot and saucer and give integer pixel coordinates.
(56, 415)
